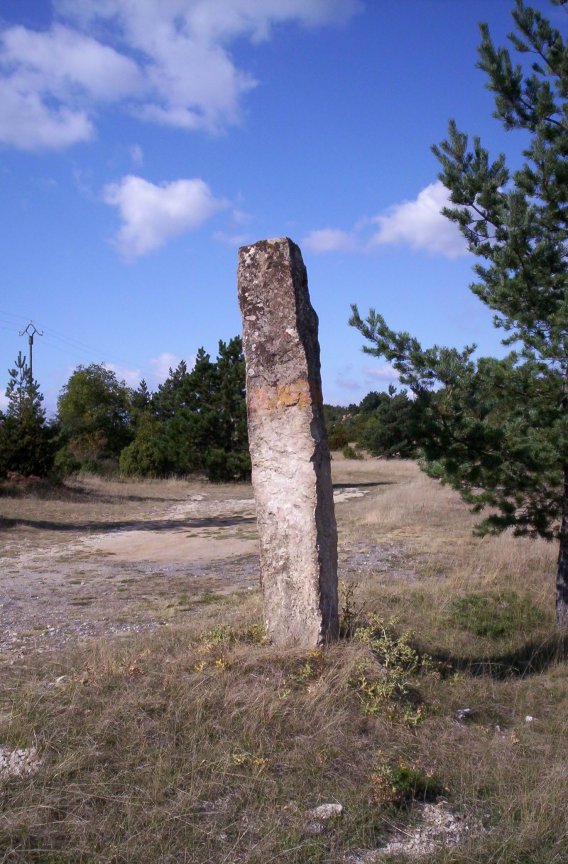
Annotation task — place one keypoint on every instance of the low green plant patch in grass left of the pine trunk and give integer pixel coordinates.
(495, 614)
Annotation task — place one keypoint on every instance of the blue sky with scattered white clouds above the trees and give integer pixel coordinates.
(142, 142)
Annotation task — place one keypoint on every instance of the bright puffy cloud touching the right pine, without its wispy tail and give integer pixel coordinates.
(420, 225)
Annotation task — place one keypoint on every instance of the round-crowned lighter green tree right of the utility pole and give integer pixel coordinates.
(95, 416)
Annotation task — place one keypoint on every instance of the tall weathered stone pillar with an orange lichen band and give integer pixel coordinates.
(291, 470)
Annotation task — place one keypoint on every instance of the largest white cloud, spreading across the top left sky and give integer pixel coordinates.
(168, 62)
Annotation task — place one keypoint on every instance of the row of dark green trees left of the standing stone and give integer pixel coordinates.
(194, 422)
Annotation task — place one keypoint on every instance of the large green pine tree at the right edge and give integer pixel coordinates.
(497, 430)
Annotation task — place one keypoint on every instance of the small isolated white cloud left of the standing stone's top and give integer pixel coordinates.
(152, 214)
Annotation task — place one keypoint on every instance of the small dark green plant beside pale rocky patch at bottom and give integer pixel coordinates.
(403, 783)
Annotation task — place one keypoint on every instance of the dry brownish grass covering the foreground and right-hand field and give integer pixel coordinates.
(200, 744)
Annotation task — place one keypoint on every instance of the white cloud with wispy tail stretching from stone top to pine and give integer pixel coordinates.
(418, 224)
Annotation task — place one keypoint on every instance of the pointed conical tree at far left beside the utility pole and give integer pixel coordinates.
(25, 440)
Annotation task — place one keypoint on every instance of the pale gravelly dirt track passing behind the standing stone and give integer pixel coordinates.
(108, 559)
